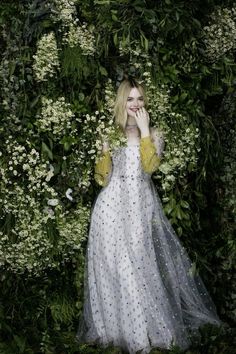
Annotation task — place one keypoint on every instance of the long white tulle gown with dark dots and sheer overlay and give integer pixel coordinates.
(140, 291)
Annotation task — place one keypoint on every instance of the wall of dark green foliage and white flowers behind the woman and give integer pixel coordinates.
(61, 62)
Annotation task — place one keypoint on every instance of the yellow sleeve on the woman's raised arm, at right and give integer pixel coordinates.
(149, 158)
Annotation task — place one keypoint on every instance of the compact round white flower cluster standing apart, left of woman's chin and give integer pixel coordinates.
(55, 116)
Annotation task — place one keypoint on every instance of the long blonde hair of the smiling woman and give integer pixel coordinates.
(120, 113)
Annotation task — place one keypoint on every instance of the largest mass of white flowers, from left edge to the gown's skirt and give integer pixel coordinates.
(34, 215)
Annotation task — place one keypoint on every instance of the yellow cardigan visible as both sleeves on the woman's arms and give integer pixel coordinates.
(149, 159)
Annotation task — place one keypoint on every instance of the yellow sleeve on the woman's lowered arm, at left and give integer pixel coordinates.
(103, 168)
